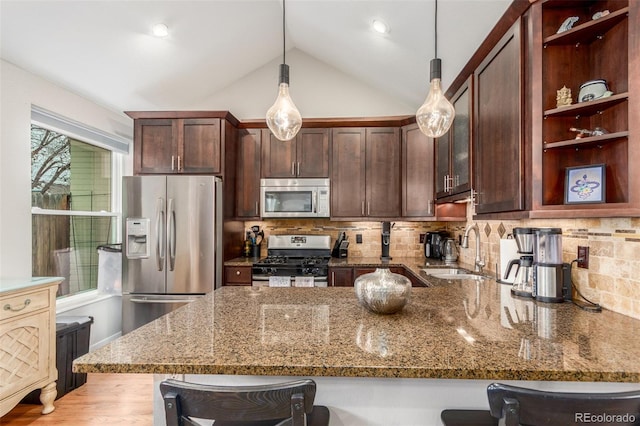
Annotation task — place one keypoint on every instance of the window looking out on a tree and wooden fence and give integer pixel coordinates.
(75, 187)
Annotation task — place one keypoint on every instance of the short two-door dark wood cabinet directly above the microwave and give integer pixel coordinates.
(307, 155)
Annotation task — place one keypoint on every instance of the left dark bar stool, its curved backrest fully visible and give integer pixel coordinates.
(264, 405)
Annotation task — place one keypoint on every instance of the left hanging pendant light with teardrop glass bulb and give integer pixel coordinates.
(283, 118)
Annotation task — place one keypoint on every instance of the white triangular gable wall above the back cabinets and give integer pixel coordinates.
(317, 89)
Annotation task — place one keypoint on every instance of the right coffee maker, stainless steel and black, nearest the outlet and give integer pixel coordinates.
(551, 277)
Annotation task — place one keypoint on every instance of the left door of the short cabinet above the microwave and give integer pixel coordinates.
(278, 157)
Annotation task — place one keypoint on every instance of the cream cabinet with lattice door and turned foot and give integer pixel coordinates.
(27, 341)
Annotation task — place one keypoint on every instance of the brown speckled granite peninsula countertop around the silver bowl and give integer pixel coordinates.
(464, 329)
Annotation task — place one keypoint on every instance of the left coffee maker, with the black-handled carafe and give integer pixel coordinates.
(523, 281)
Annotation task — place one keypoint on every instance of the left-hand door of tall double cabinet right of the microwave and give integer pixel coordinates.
(348, 172)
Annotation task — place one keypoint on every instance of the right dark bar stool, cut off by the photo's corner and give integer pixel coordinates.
(515, 405)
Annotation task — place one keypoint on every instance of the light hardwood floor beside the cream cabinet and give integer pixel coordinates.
(105, 399)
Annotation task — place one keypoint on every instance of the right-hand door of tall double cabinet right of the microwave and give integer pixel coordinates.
(383, 172)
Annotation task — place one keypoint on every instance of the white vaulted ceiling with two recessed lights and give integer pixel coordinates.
(103, 50)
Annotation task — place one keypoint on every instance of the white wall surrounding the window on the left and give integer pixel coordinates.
(18, 91)
